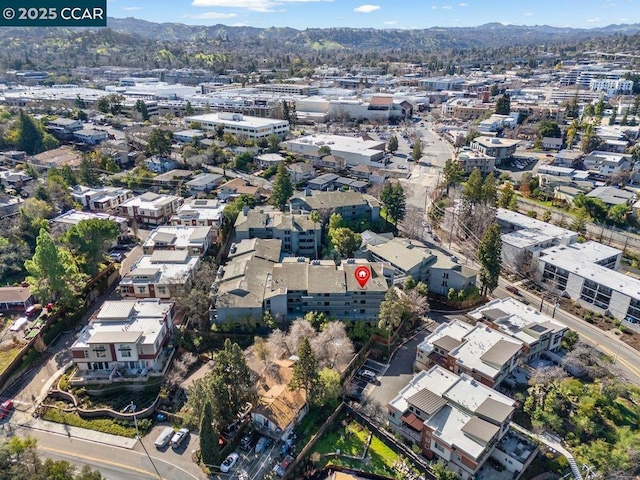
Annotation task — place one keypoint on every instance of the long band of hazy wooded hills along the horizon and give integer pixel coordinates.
(489, 35)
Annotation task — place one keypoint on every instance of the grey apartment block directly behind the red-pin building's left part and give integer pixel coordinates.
(299, 235)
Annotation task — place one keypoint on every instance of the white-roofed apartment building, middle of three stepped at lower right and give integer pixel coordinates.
(483, 353)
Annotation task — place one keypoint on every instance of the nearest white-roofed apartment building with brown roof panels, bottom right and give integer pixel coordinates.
(457, 420)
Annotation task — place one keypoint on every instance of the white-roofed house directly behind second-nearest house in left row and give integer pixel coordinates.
(195, 240)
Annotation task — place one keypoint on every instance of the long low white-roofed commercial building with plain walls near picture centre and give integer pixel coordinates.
(354, 150)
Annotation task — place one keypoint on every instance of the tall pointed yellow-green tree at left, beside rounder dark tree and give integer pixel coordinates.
(52, 272)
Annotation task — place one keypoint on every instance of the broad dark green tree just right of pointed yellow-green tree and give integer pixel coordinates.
(89, 240)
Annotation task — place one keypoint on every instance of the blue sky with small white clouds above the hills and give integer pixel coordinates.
(302, 14)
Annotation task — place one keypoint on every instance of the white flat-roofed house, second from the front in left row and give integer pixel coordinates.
(163, 274)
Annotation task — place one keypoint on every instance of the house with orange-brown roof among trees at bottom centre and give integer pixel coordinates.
(279, 408)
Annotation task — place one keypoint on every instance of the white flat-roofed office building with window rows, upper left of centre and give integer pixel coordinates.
(238, 124)
